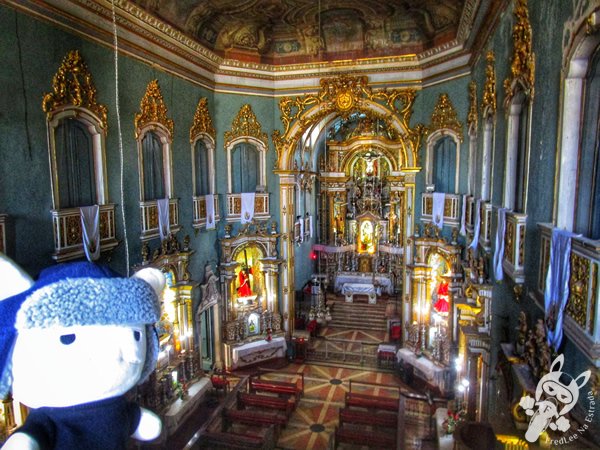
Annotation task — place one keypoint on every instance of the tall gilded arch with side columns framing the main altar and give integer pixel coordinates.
(338, 97)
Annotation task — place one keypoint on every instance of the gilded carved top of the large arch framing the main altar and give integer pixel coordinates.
(345, 95)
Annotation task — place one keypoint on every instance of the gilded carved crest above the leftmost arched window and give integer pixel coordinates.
(72, 85)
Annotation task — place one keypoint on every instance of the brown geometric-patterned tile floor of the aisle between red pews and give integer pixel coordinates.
(313, 423)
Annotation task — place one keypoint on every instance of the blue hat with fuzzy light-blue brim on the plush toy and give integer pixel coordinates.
(79, 293)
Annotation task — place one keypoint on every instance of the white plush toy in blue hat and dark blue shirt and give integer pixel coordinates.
(71, 345)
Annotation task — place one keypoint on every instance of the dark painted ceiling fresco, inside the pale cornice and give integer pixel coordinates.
(296, 31)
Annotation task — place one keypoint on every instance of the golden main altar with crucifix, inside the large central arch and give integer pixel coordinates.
(365, 204)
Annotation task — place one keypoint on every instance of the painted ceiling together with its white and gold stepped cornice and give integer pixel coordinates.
(285, 46)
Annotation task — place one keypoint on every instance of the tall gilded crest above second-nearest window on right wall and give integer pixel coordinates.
(522, 69)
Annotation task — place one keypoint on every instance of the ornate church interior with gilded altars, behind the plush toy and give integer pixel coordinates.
(379, 221)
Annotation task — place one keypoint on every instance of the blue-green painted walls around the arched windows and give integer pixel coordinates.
(32, 51)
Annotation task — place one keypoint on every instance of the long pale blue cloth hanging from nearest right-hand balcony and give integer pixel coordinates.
(556, 293)
